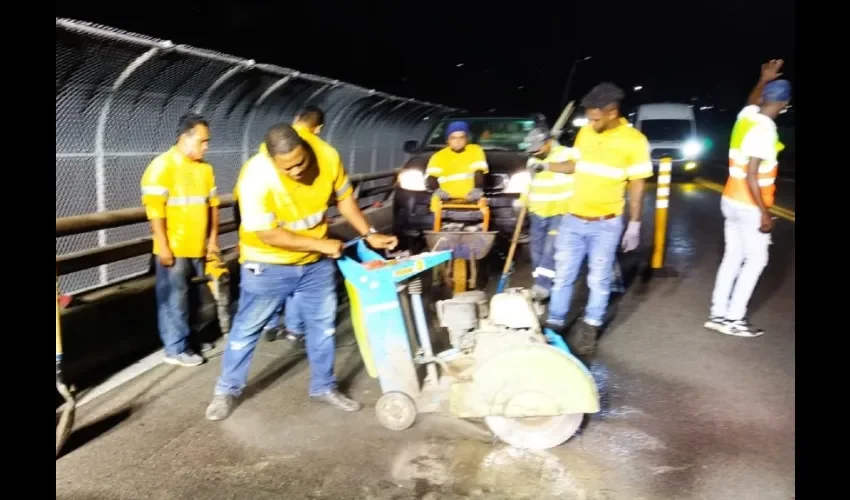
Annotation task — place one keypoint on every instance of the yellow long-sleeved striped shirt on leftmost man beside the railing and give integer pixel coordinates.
(181, 191)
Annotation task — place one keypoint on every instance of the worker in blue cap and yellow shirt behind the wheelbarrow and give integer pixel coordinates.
(456, 172)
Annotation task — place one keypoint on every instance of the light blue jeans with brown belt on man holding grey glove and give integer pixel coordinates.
(577, 238)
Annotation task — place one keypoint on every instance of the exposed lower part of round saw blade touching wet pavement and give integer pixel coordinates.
(535, 433)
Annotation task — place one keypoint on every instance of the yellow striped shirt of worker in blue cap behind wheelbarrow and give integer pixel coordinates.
(455, 171)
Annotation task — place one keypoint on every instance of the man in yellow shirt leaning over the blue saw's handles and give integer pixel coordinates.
(284, 193)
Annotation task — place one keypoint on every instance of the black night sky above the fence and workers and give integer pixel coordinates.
(481, 56)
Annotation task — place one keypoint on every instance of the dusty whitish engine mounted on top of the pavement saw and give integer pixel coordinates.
(477, 324)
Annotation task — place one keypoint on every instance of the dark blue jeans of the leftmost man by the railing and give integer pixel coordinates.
(172, 302)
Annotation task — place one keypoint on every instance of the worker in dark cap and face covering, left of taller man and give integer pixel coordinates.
(547, 201)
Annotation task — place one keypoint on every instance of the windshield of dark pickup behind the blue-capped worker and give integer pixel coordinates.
(489, 133)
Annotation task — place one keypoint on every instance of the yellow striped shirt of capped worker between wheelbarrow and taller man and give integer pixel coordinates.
(549, 192)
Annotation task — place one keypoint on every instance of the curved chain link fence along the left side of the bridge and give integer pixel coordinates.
(118, 100)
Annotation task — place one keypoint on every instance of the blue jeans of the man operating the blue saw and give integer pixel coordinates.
(263, 290)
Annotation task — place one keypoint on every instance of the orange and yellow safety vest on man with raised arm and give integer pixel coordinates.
(754, 135)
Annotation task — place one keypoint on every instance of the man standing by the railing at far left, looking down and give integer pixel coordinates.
(180, 199)
